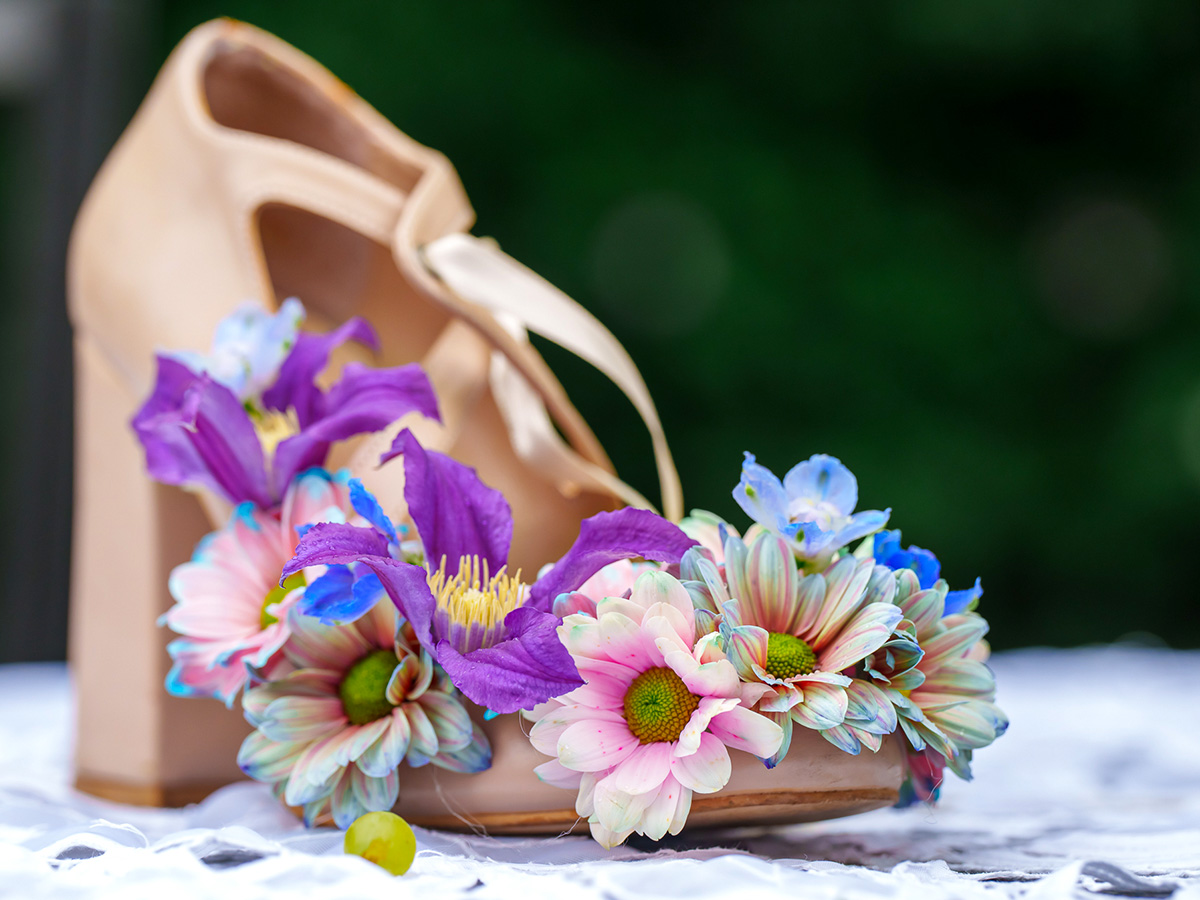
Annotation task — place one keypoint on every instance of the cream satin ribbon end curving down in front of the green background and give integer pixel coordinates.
(483, 274)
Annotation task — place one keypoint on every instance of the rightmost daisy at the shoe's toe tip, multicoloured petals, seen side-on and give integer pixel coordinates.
(946, 695)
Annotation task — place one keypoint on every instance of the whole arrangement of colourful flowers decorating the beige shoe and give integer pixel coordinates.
(652, 657)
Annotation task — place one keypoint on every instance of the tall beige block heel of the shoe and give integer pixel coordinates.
(134, 742)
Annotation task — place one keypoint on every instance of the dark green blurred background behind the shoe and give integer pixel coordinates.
(951, 244)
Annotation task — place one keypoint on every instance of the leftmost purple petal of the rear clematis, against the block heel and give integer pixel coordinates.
(196, 434)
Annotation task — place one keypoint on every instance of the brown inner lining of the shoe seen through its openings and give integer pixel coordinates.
(339, 273)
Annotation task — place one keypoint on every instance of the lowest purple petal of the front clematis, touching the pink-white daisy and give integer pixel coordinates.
(527, 669)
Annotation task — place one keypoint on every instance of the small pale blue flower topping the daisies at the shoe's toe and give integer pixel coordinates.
(813, 508)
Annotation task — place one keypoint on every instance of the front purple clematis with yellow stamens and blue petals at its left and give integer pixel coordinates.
(495, 635)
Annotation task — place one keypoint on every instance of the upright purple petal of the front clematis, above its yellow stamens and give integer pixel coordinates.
(457, 515)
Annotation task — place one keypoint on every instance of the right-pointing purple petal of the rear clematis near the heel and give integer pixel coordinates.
(364, 401)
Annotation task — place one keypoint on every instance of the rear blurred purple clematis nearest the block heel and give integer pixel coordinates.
(199, 434)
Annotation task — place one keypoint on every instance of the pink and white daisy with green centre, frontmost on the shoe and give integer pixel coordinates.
(655, 721)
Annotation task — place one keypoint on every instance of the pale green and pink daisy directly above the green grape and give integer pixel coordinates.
(331, 735)
